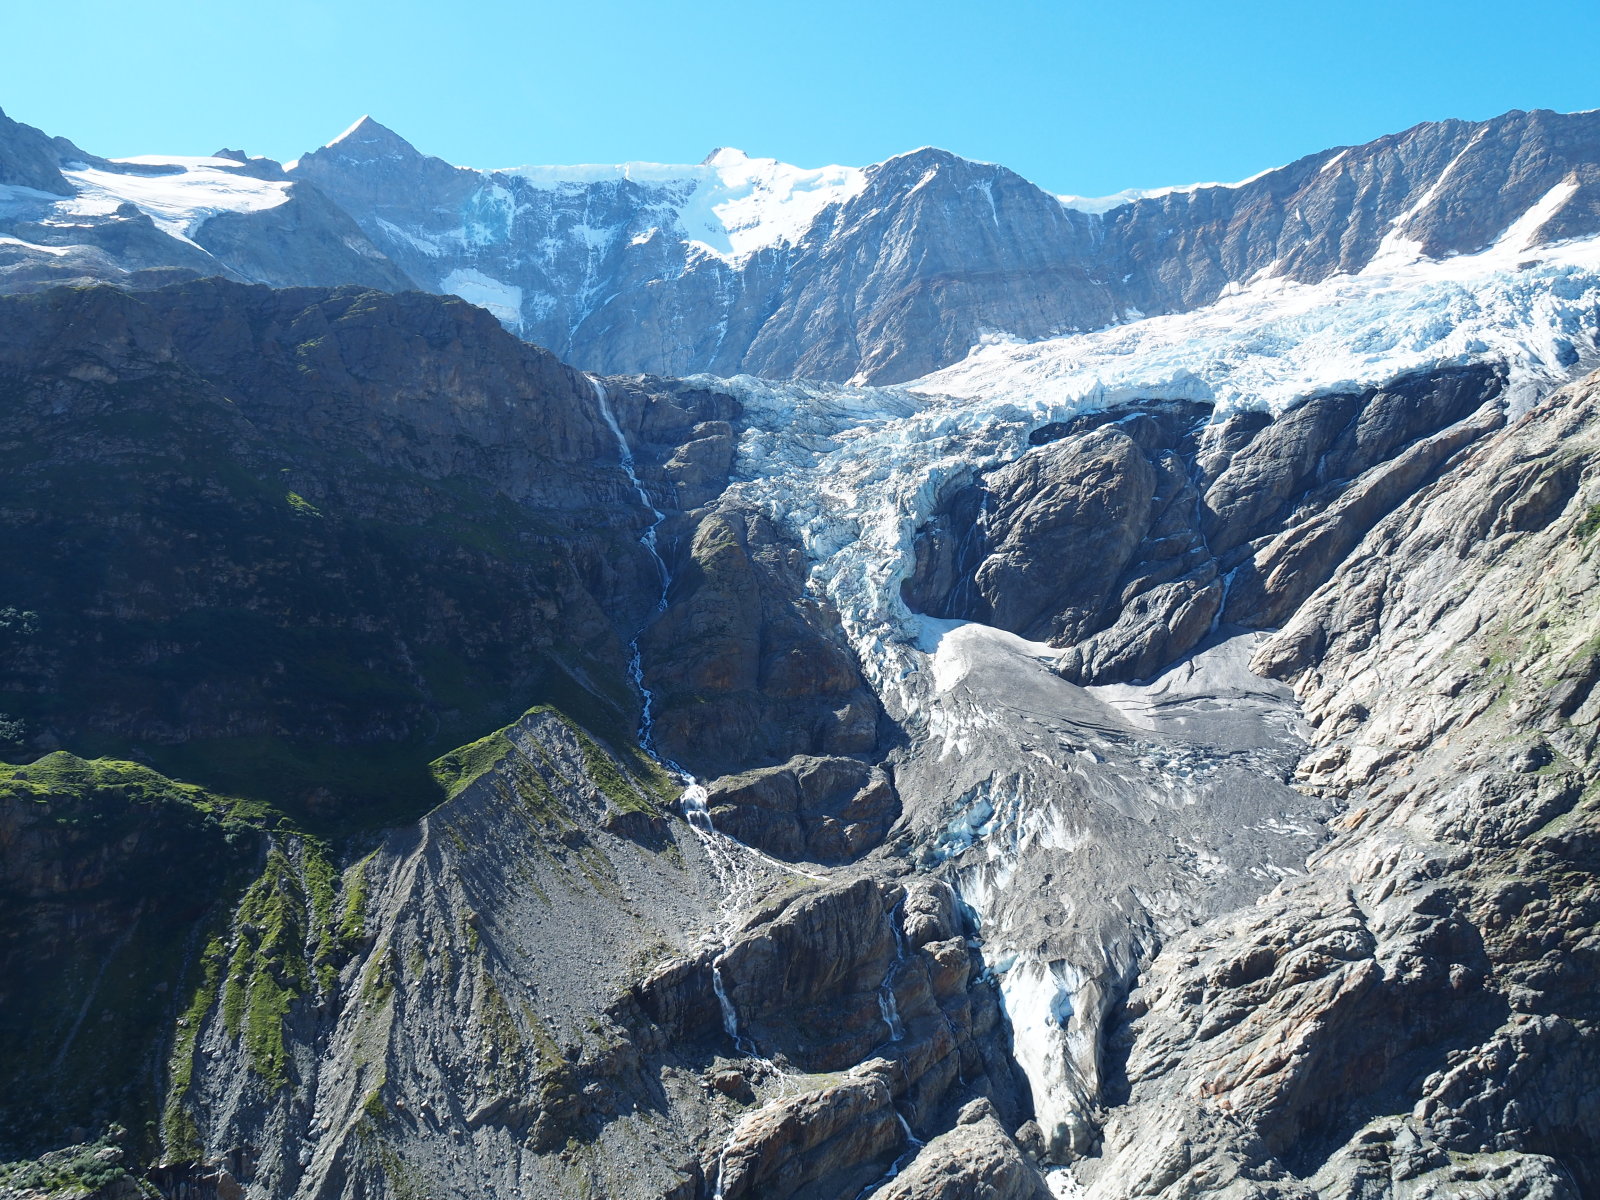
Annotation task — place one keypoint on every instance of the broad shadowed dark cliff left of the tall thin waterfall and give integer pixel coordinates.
(303, 521)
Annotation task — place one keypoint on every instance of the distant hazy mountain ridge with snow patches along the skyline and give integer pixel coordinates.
(882, 274)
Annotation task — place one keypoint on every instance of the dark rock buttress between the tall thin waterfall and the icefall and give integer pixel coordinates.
(746, 668)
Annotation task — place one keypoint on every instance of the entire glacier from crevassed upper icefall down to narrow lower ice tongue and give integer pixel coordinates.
(855, 471)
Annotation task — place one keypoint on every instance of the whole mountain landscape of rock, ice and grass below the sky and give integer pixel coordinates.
(748, 682)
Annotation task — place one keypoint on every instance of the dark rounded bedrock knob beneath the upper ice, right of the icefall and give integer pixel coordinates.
(1127, 537)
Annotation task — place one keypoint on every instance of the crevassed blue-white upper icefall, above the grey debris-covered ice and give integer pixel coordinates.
(855, 471)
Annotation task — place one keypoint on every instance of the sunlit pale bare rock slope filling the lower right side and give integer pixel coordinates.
(1417, 1017)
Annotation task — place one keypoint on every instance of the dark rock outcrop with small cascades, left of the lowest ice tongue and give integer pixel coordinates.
(826, 983)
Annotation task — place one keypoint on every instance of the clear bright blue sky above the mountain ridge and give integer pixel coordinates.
(1078, 97)
